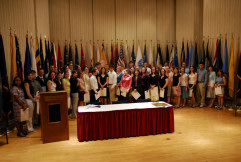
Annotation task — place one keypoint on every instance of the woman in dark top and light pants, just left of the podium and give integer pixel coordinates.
(31, 100)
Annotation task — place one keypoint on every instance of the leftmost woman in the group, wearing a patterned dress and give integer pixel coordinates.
(19, 102)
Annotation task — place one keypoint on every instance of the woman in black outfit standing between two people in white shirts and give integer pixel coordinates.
(103, 80)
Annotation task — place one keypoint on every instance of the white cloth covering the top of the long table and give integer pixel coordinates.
(114, 107)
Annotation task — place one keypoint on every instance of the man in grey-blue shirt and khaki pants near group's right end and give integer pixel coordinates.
(202, 81)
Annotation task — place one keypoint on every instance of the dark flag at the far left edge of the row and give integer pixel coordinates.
(3, 67)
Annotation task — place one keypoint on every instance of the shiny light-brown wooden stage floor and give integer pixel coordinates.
(201, 134)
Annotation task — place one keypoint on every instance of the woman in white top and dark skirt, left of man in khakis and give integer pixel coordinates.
(192, 85)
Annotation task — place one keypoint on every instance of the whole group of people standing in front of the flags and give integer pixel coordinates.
(83, 85)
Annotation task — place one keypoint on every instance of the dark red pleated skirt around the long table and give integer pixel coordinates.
(124, 123)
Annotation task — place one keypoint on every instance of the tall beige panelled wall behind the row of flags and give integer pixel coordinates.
(92, 21)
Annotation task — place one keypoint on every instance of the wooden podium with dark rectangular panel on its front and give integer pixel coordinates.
(54, 116)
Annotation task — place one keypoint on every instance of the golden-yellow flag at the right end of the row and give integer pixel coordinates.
(231, 70)
